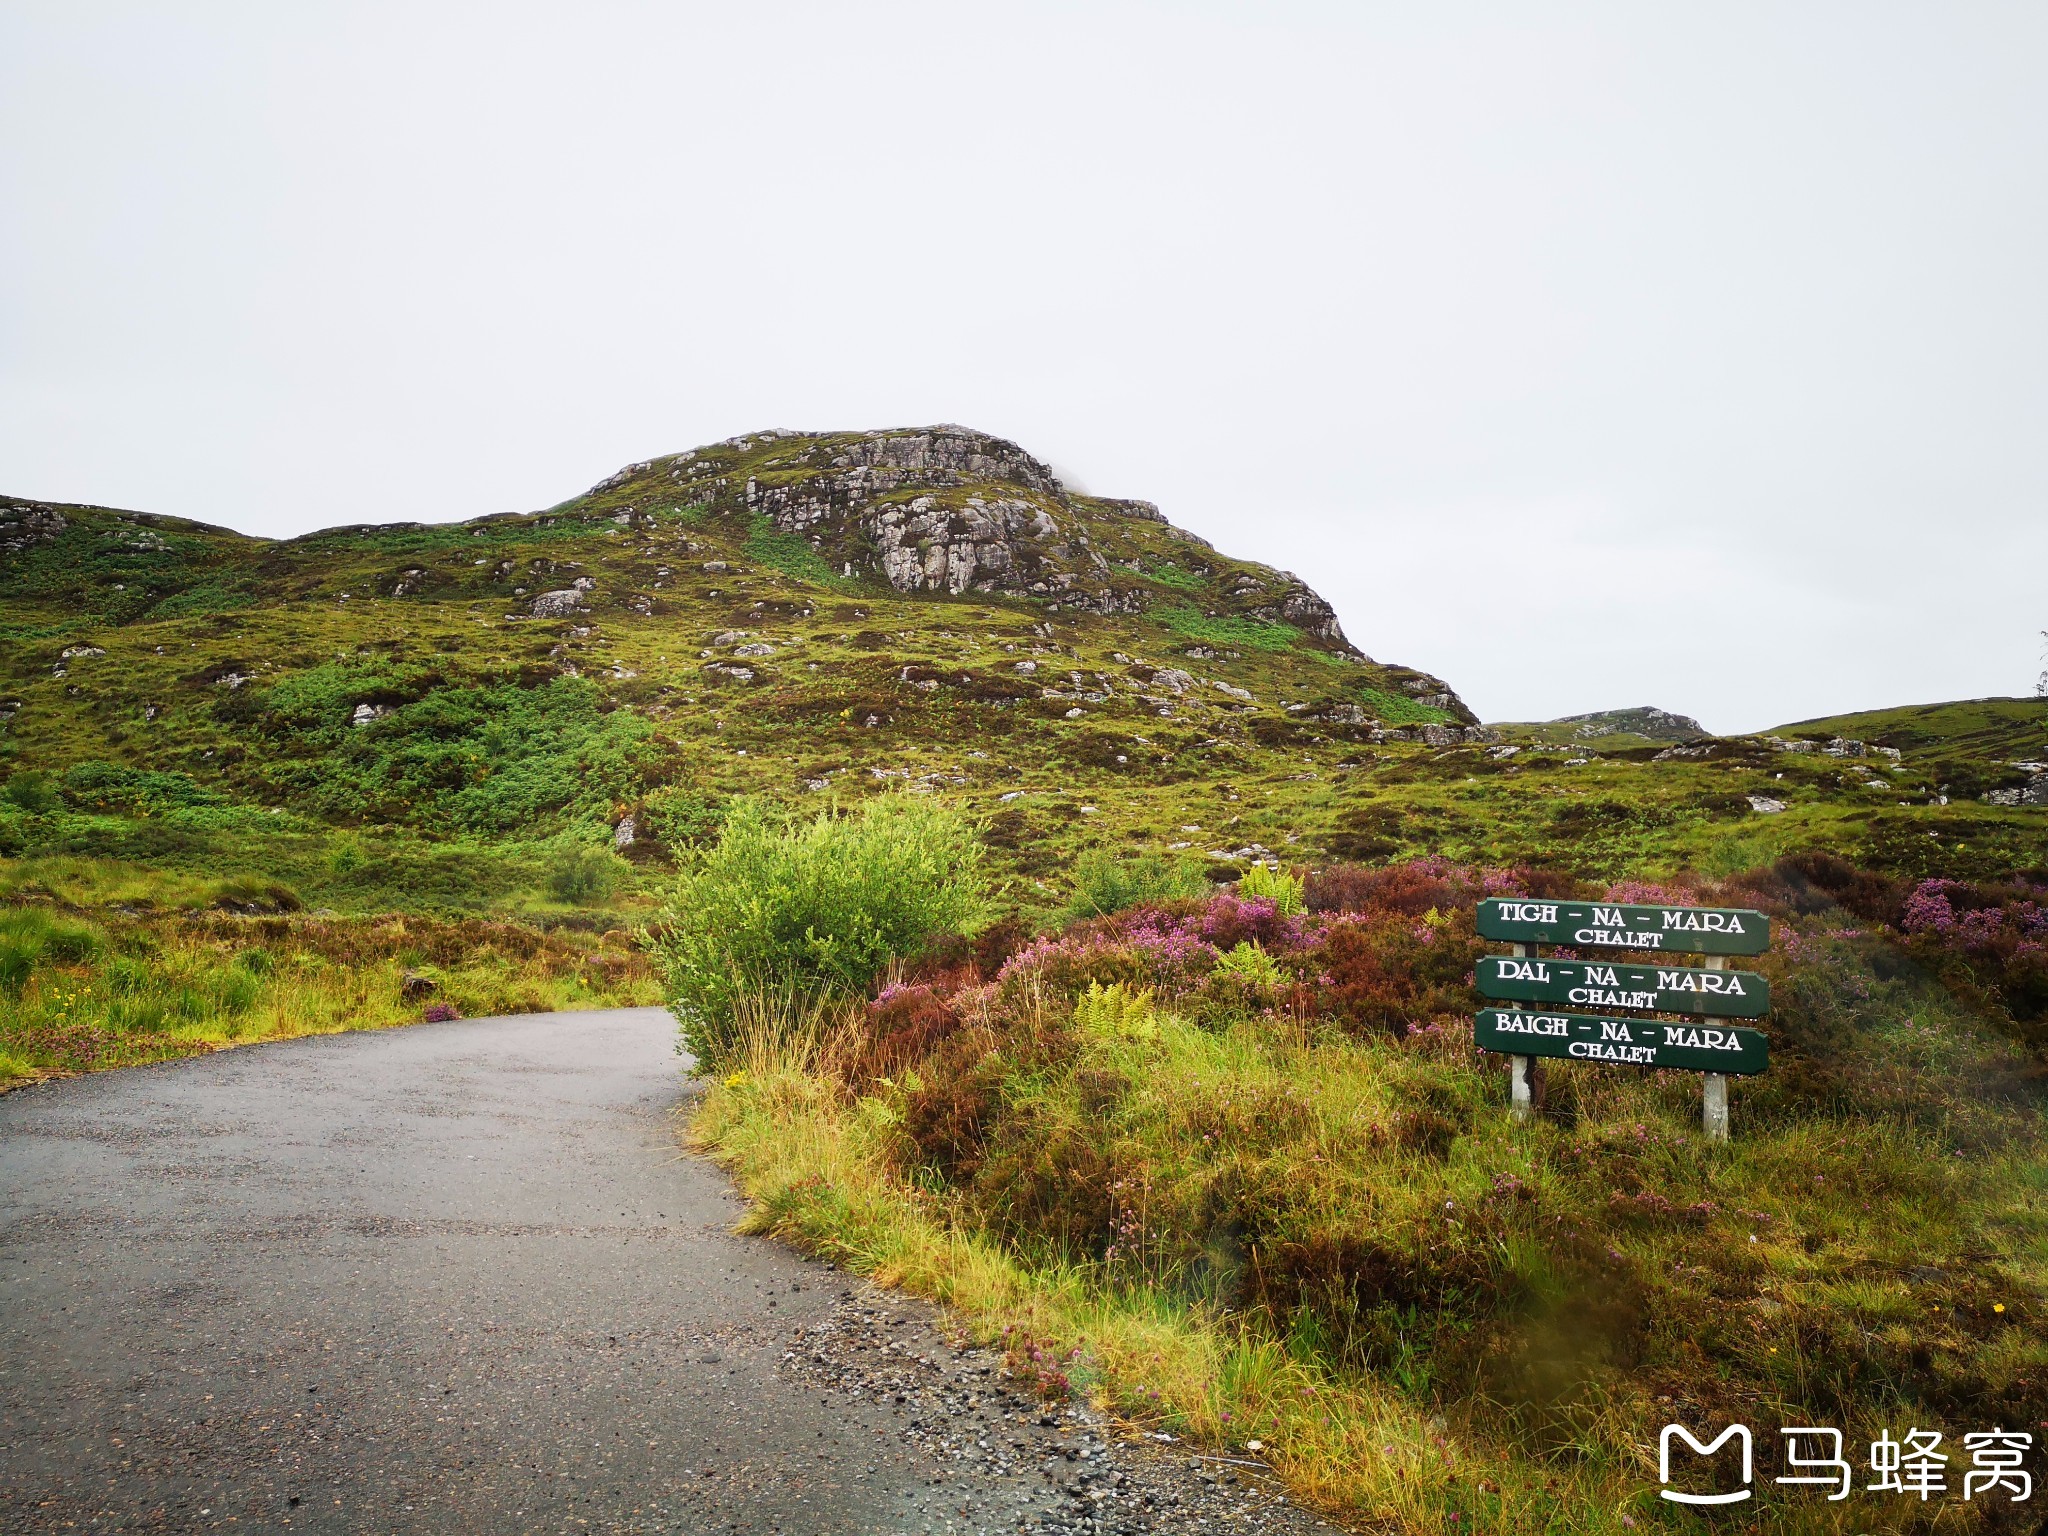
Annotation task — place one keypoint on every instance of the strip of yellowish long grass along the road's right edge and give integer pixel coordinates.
(820, 1177)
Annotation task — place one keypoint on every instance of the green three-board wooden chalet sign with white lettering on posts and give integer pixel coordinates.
(1699, 994)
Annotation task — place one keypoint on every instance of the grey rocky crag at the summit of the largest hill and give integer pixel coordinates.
(953, 511)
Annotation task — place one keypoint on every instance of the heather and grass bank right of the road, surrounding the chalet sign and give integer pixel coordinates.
(1234, 1166)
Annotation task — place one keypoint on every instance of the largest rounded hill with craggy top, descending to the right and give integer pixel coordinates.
(790, 615)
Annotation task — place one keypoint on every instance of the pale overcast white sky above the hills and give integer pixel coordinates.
(1684, 355)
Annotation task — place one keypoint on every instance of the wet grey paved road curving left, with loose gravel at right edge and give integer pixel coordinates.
(460, 1279)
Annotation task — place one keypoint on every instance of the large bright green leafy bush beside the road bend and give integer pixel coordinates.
(808, 908)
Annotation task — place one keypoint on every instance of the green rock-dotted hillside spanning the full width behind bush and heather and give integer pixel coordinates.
(464, 722)
